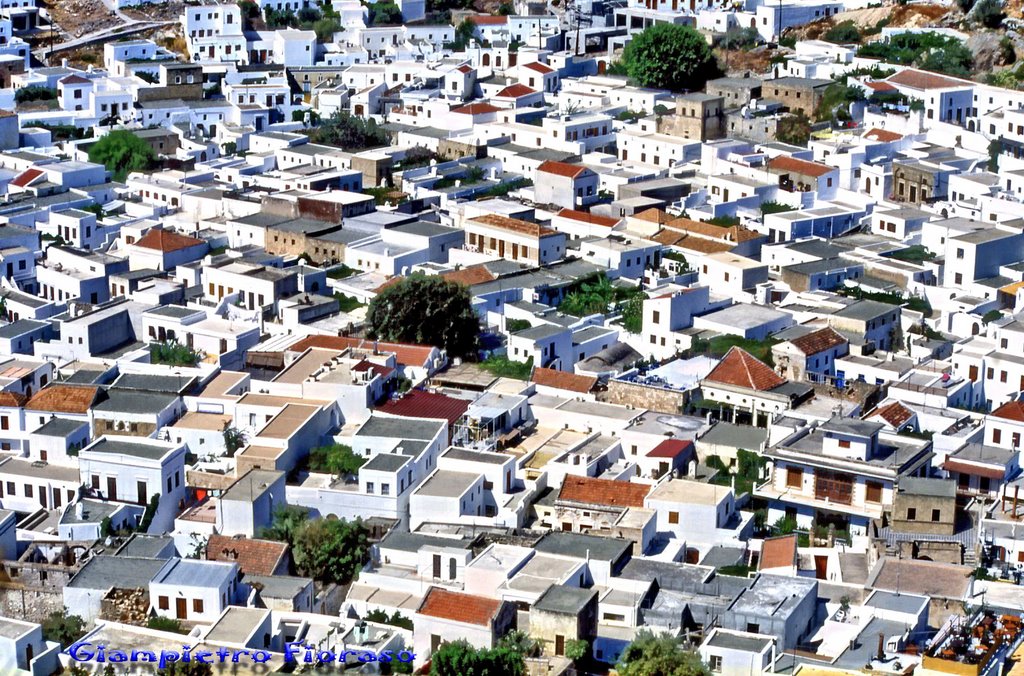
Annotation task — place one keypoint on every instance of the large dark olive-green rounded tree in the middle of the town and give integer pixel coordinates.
(429, 311)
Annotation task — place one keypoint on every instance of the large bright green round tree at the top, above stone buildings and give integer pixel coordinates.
(670, 57)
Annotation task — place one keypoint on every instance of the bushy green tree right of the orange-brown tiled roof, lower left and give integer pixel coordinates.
(331, 551)
